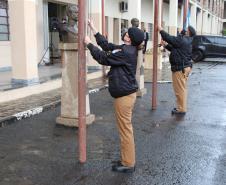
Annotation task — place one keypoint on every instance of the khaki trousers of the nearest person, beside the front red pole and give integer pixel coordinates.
(123, 112)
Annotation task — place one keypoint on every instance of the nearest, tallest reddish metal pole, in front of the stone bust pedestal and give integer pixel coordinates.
(81, 82)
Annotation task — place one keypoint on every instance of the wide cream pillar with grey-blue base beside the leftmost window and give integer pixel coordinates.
(23, 33)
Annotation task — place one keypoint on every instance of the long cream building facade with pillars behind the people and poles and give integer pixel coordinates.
(26, 38)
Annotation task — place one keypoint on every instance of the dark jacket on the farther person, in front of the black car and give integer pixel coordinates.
(181, 50)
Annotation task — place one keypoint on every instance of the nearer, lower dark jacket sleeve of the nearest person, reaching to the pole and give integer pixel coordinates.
(107, 58)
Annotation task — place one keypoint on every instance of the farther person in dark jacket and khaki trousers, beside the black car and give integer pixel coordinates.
(181, 64)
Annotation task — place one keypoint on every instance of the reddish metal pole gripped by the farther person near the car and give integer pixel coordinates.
(155, 56)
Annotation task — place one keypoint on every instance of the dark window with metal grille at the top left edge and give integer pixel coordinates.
(4, 21)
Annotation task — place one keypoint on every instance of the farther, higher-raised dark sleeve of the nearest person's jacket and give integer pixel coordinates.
(104, 44)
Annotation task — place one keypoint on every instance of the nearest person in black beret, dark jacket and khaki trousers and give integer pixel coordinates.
(122, 86)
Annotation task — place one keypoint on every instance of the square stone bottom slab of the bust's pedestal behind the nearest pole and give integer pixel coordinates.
(73, 122)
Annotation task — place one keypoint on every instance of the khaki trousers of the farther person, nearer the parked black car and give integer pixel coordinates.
(180, 88)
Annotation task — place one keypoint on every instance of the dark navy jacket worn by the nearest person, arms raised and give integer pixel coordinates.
(123, 62)
